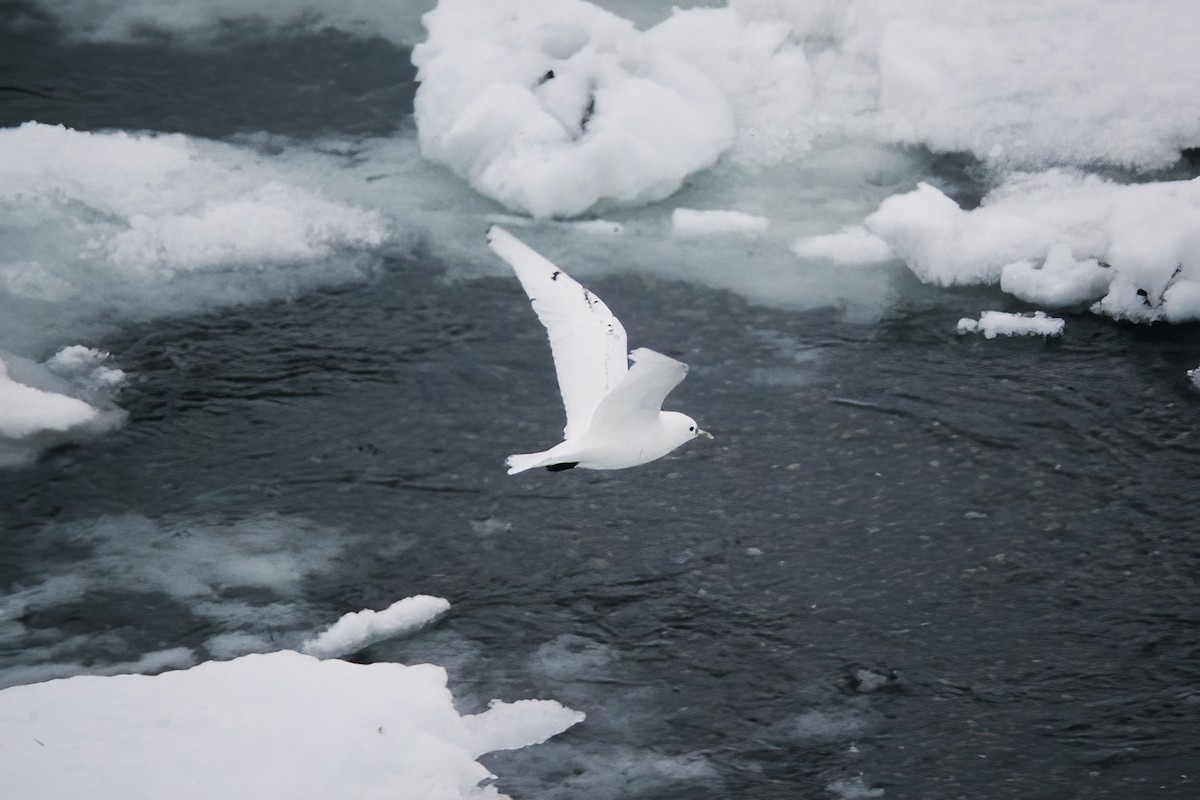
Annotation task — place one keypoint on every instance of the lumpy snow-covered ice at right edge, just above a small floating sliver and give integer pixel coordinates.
(1059, 239)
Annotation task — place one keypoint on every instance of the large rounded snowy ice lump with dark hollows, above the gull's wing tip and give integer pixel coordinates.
(554, 107)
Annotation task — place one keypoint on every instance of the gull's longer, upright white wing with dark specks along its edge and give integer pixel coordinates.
(587, 341)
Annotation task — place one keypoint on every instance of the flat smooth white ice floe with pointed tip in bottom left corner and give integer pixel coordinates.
(279, 726)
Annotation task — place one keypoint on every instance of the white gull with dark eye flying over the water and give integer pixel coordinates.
(615, 416)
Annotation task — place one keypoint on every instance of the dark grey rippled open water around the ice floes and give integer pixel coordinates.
(957, 568)
